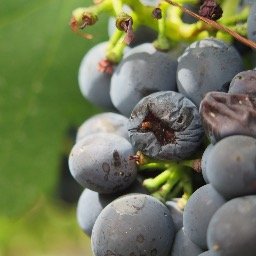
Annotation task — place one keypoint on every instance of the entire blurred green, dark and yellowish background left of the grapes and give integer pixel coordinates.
(40, 109)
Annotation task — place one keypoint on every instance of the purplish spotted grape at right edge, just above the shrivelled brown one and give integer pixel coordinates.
(244, 82)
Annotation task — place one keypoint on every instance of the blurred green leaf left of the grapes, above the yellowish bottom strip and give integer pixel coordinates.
(39, 95)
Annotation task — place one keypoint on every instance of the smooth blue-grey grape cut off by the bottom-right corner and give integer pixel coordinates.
(231, 231)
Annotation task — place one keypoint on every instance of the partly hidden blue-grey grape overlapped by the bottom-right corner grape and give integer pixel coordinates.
(201, 206)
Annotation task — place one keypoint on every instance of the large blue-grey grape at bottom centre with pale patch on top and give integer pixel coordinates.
(128, 226)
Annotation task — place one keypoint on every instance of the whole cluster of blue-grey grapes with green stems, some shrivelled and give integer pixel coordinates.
(170, 168)
